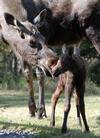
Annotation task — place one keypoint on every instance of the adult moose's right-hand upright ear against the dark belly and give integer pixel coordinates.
(40, 18)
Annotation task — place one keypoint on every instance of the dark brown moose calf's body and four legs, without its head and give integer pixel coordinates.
(73, 80)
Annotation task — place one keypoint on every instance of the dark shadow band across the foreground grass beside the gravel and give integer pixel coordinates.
(49, 132)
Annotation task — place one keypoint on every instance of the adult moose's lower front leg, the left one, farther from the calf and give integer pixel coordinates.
(29, 78)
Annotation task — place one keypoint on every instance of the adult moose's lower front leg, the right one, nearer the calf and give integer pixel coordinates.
(41, 104)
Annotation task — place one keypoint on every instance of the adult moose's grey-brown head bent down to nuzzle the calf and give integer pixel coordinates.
(26, 41)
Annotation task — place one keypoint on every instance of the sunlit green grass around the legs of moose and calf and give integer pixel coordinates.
(14, 115)
